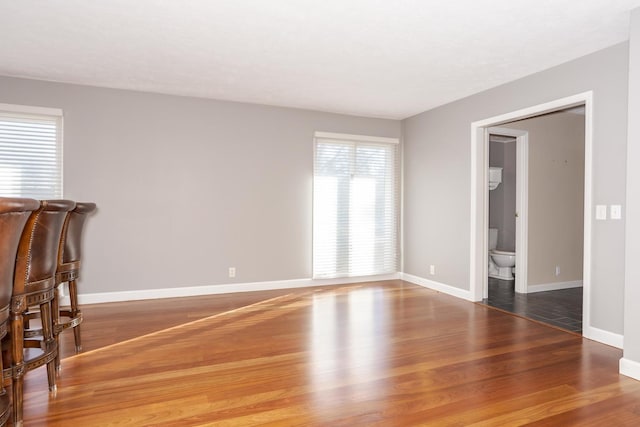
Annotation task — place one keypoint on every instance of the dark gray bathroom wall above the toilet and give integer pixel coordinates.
(502, 200)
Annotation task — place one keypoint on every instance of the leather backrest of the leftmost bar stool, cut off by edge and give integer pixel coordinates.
(14, 213)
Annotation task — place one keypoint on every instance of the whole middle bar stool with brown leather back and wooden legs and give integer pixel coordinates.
(34, 286)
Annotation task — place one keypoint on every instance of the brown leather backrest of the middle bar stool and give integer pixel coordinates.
(37, 258)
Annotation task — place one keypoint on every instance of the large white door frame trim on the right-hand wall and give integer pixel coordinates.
(480, 200)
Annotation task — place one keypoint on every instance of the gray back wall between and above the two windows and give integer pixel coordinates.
(188, 187)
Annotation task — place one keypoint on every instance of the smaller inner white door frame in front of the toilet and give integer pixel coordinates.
(521, 208)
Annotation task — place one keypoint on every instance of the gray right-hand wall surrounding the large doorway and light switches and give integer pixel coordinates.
(437, 174)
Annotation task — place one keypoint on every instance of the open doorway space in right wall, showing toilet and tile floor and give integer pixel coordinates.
(547, 286)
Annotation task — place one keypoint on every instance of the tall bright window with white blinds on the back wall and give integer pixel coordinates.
(355, 205)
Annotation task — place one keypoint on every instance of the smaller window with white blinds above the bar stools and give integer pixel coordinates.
(30, 152)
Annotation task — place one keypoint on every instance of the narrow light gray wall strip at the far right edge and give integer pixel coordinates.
(632, 290)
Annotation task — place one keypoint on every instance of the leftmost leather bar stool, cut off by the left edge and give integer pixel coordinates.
(13, 217)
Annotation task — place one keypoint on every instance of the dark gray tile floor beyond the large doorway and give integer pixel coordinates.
(561, 308)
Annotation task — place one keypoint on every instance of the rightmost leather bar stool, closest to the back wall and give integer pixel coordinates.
(69, 259)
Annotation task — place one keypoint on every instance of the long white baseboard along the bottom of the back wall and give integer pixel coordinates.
(97, 298)
